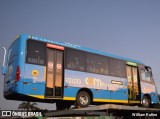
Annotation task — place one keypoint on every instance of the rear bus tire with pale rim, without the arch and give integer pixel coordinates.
(83, 99)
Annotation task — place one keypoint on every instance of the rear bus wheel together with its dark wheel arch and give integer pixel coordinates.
(86, 95)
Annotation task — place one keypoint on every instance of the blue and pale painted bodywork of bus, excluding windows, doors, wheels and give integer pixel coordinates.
(101, 88)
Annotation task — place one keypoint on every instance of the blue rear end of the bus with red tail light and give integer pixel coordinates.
(12, 70)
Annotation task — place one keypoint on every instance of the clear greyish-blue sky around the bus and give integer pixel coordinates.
(128, 28)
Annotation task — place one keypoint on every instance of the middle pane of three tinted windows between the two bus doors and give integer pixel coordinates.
(97, 64)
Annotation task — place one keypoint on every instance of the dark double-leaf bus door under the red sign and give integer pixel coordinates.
(54, 71)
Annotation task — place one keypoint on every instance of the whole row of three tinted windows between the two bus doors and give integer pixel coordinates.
(93, 63)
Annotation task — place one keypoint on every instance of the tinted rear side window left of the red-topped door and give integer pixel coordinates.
(35, 52)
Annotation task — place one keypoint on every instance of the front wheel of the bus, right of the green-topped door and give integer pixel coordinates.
(146, 101)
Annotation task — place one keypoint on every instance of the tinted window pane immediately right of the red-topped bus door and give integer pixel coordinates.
(75, 60)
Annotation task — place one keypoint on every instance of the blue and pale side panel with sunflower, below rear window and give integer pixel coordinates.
(34, 80)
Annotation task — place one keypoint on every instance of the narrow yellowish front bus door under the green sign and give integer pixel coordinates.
(133, 87)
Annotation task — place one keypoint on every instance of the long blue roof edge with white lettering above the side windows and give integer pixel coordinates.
(78, 47)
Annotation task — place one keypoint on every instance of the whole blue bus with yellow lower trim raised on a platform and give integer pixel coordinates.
(43, 70)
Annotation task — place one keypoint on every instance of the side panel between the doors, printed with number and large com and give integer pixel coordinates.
(104, 88)
